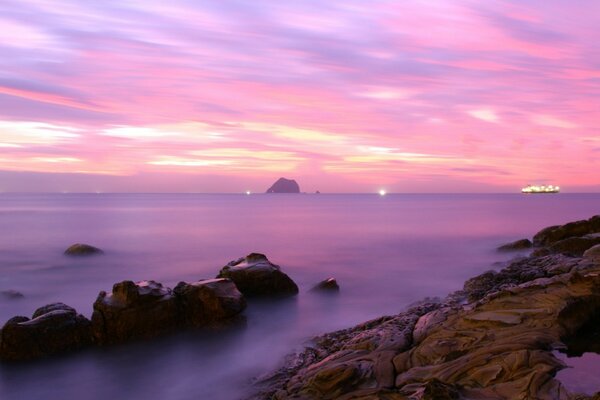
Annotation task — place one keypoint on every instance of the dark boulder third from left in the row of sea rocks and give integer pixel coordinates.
(209, 302)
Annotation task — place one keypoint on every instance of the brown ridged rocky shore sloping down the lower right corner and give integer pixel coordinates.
(494, 339)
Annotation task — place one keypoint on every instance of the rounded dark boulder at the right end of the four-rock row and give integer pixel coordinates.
(255, 275)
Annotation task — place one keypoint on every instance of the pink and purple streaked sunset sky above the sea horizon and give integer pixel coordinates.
(343, 96)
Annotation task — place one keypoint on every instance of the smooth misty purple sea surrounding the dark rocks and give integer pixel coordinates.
(385, 251)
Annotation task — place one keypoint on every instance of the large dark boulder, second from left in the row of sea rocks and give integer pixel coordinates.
(134, 311)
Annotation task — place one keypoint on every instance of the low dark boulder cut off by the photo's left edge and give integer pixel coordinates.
(53, 329)
